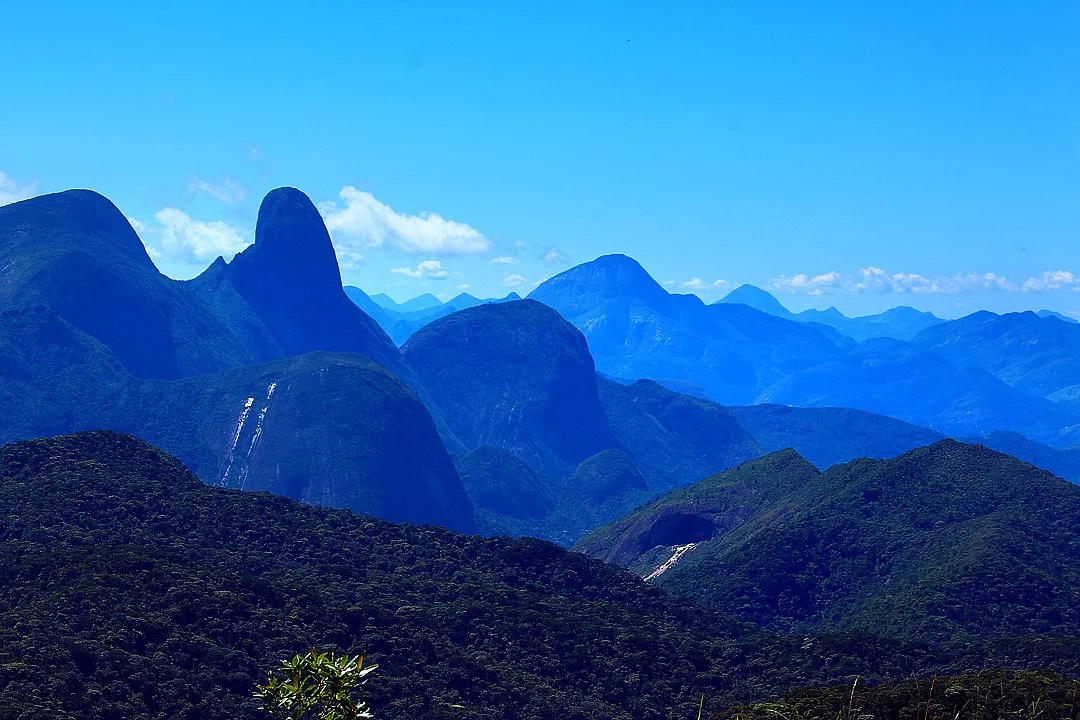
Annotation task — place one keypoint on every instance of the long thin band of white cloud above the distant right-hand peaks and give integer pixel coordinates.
(875, 280)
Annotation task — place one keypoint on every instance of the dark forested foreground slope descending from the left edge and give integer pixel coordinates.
(132, 590)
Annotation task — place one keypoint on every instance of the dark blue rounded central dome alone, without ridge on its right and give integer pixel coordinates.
(515, 376)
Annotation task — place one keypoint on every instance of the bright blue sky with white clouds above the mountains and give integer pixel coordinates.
(862, 155)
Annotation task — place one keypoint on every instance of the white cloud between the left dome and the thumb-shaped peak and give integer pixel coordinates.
(177, 236)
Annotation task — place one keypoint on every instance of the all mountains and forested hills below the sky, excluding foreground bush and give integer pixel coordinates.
(839, 531)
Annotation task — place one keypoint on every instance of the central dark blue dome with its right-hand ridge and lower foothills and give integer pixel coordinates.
(517, 377)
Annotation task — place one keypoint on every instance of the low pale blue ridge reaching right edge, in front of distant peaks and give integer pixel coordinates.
(894, 378)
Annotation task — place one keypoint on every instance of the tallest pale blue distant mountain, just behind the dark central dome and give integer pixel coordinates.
(637, 330)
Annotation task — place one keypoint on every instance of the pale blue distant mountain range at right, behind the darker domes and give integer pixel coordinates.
(968, 377)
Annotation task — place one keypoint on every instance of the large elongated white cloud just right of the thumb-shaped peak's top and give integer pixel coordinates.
(369, 223)
